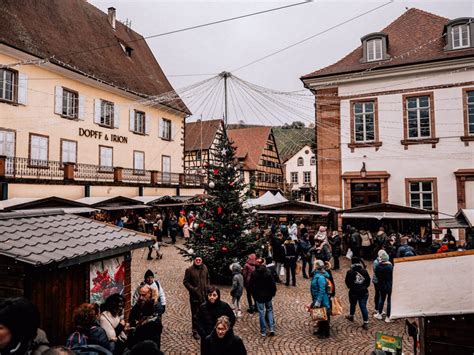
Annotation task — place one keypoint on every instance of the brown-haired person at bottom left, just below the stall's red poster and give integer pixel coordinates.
(88, 334)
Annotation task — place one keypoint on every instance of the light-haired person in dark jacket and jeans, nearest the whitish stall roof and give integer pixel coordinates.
(384, 273)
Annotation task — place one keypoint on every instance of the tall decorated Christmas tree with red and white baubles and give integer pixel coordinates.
(223, 227)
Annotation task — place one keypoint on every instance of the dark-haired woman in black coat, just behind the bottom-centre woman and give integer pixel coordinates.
(210, 311)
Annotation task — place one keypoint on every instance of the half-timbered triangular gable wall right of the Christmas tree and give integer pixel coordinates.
(269, 173)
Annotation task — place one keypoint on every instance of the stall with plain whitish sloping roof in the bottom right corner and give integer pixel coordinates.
(438, 291)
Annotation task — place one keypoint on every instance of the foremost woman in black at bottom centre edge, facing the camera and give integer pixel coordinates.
(223, 341)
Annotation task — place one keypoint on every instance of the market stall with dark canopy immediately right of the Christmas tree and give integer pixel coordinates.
(312, 215)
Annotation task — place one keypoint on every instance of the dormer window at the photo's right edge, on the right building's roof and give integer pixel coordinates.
(459, 33)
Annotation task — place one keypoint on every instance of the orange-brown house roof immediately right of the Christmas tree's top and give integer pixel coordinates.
(249, 143)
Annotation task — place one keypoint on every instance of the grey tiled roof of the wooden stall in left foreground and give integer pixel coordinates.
(45, 238)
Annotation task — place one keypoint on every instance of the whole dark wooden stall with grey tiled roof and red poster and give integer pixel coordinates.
(59, 261)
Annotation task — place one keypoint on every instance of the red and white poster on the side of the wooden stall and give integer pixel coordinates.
(106, 278)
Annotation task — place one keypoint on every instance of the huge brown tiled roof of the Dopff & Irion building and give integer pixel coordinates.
(68, 29)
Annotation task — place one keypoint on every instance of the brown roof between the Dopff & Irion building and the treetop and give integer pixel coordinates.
(200, 134)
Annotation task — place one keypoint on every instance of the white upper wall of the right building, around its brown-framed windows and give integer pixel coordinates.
(421, 160)
